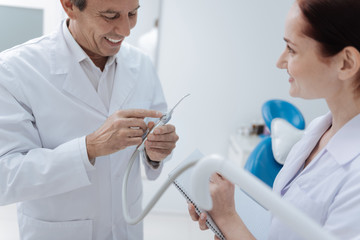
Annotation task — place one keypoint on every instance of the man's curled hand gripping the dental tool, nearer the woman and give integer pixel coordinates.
(161, 142)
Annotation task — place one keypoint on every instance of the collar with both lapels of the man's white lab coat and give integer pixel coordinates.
(77, 83)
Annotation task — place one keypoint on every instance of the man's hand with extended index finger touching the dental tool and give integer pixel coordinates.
(122, 129)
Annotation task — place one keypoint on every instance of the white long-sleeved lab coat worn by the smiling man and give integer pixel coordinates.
(48, 106)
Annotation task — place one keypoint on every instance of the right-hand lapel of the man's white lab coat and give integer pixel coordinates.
(124, 84)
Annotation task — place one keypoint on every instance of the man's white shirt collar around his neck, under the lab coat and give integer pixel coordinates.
(78, 53)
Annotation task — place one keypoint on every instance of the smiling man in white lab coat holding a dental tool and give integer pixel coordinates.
(73, 106)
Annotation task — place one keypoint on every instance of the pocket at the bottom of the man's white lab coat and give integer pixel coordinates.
(34, 229)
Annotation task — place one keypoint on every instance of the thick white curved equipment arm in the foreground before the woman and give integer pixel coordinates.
(297, 220)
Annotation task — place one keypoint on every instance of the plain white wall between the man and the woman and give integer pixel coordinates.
(224, 54)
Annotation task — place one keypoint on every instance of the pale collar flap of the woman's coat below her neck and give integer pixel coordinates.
(347, 137)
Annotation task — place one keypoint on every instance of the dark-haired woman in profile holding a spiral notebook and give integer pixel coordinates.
(321, 175)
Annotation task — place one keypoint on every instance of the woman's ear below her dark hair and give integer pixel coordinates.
(350, 63)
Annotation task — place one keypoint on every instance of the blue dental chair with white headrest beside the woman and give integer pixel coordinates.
(286, 124)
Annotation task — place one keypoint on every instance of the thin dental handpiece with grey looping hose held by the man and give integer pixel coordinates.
(162, 121)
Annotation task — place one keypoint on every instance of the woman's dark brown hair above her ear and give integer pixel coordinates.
(335, 24)
